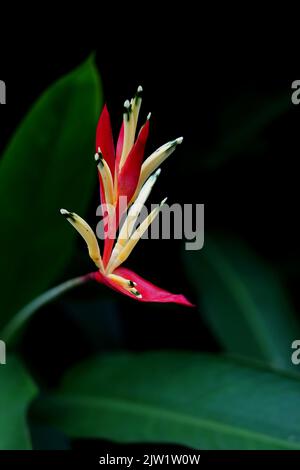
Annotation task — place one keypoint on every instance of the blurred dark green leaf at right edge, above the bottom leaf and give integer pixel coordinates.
(243, 301)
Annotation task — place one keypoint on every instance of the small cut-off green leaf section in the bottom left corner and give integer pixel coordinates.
(16, 392)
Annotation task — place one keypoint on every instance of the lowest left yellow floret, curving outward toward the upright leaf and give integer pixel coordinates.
(87, 234)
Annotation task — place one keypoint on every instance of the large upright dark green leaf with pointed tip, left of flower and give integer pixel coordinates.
(47, 165)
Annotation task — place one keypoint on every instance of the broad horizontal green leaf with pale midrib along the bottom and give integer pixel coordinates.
(201, 401)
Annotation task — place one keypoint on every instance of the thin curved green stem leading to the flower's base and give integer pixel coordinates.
(23, 315)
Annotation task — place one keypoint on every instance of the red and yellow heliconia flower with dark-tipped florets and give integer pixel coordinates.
(123, 175)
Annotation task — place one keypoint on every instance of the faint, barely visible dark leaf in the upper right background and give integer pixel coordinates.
(242, 121)
